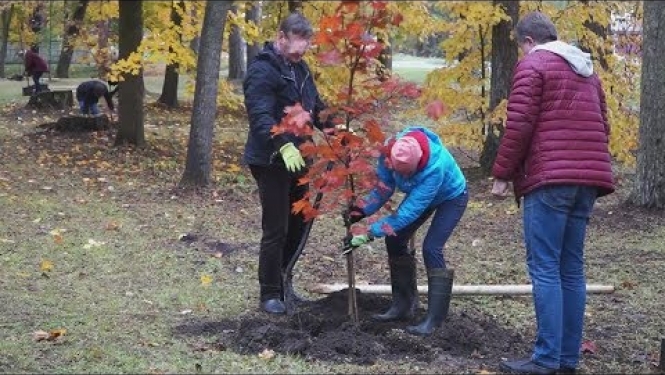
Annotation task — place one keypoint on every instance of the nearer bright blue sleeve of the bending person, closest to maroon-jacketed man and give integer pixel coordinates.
(412, 207)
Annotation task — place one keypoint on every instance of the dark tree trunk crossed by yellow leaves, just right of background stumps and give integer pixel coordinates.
(131, 90)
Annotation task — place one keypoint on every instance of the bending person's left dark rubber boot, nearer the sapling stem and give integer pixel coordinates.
(404, 290)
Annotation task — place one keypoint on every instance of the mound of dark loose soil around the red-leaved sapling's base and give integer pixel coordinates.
(323, 331)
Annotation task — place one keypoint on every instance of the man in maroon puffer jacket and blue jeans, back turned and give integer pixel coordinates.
(555, 152)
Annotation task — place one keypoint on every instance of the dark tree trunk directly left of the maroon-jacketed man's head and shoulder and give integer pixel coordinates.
(504, 58)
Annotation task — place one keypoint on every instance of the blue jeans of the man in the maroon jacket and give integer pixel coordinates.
(555, 221)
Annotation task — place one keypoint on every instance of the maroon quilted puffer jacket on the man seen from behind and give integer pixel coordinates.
(556, 129)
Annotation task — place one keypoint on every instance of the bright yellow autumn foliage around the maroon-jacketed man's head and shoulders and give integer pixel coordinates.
(464, 84)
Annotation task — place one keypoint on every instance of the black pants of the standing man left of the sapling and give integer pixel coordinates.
(282, 230)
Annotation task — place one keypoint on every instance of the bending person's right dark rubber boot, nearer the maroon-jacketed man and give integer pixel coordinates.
(440, 285)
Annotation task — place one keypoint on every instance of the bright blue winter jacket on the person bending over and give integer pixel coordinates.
(440, 180)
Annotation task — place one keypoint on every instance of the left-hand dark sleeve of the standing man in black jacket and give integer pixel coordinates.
(260, 101)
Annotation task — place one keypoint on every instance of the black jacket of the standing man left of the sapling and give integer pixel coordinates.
(271, 84)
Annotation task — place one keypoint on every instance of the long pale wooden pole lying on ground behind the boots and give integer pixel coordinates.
(510, 289)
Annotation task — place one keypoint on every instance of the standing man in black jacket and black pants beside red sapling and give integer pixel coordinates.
(277, 78)
